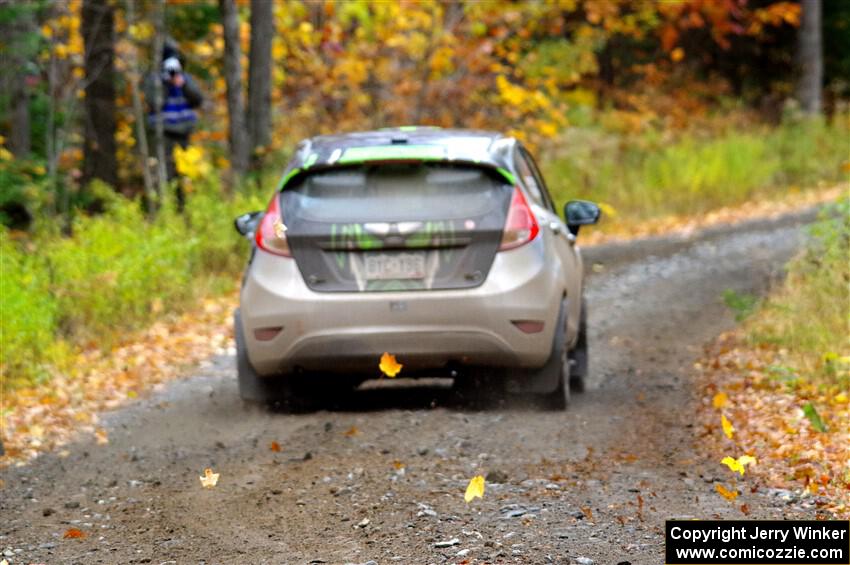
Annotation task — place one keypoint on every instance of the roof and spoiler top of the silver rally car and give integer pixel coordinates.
(480, 147)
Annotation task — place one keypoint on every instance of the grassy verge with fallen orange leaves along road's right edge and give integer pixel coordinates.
(781, 382)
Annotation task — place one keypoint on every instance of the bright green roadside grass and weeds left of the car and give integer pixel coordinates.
(115, 274)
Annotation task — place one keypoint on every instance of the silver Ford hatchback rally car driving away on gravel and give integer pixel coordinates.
(441, 247)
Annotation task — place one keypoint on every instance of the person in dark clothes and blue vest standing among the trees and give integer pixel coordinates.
(180, 97)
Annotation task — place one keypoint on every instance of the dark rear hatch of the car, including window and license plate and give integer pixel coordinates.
(395, 226)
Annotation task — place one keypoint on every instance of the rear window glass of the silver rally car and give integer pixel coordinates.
(395, 192)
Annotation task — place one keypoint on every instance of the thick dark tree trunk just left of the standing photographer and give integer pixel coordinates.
(98, 30)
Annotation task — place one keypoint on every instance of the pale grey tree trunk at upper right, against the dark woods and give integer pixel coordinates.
(810, 58)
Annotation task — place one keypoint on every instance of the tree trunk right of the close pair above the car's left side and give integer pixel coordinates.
(260, 74)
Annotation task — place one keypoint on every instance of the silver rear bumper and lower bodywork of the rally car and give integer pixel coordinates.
(424, 329)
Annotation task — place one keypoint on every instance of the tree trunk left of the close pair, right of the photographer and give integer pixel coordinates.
(238, 134)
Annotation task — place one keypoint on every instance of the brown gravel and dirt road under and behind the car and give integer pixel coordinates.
(381, 477)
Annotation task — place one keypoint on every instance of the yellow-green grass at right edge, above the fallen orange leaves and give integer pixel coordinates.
(809, 316)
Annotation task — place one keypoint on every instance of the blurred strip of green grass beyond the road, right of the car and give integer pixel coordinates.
(654, 174)
